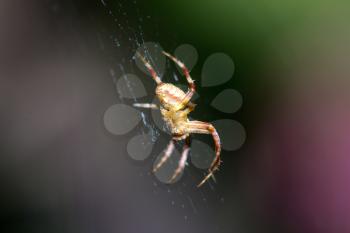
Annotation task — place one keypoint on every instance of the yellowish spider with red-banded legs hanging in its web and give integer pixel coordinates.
(175, 105)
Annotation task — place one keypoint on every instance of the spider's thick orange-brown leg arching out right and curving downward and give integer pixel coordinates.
(207, 128)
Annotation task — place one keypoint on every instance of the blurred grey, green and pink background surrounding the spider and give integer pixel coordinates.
(62, 171)
